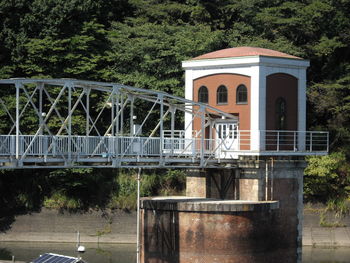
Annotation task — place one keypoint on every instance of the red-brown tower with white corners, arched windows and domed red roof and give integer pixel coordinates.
(263, 88)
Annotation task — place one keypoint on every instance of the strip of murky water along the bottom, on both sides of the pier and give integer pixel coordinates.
(125, 253)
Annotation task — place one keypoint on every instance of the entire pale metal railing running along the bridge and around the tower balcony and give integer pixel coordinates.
(280, 142)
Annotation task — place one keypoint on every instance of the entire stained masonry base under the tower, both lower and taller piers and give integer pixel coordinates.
(248, 213)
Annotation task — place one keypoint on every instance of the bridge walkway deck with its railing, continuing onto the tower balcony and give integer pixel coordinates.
(129, 151)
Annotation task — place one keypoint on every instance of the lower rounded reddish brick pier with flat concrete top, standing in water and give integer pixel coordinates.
(207, 230)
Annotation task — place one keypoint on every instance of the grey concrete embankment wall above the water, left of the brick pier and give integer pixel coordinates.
(54, 226)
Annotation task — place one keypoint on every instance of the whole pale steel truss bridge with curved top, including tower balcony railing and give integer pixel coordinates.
(62, 123)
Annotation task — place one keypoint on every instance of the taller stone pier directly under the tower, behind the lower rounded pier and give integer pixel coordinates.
(280, 180)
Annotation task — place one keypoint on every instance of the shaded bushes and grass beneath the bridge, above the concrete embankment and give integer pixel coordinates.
(82, 189)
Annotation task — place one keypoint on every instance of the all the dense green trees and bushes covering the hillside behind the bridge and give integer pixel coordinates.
(142, 43)
